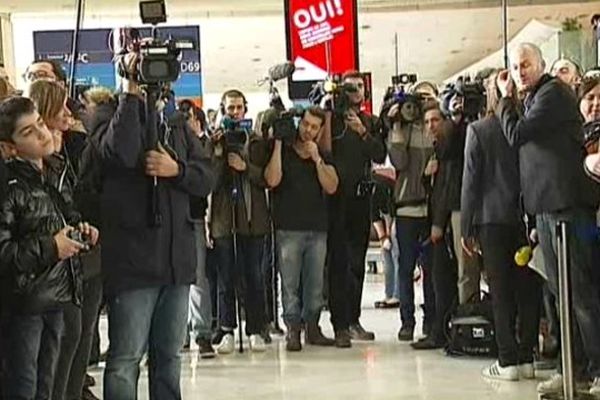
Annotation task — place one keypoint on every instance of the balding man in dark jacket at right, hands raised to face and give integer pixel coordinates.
(549, 137)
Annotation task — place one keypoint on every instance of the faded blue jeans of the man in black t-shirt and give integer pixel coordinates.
(302, 260)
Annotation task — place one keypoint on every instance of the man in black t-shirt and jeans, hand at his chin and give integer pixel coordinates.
(301, 177)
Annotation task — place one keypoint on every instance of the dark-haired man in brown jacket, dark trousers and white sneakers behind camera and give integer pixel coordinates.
(240, 157)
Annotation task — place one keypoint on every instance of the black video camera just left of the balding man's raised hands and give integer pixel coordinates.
(473, 96)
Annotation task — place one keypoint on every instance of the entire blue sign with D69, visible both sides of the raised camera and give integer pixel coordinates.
(95, 61)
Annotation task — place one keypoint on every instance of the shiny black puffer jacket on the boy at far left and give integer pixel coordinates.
(32, 211)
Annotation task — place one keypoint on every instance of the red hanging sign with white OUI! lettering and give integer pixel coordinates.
(322, 39)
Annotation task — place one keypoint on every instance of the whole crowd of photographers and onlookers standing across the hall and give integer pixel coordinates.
(181, 223)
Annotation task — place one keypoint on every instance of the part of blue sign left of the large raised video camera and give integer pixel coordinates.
(95, 60)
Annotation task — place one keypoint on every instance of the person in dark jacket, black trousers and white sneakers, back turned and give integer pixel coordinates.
(491, 212)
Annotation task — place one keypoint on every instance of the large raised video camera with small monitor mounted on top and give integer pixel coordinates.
(159, 60)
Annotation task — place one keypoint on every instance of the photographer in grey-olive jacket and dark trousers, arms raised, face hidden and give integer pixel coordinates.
(410, 149)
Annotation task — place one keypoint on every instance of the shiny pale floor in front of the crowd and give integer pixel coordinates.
(385, 369)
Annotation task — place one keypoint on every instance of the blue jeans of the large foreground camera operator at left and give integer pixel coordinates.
(152, 320)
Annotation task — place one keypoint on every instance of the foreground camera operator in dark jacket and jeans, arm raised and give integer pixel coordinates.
(148, 262)
